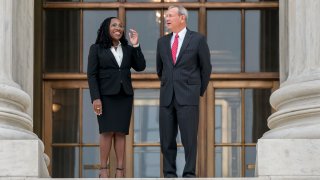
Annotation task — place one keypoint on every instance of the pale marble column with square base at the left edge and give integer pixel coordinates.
(21, 151)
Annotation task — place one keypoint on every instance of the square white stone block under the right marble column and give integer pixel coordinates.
(288, 158)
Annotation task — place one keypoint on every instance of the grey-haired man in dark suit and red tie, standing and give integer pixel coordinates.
(184, 68)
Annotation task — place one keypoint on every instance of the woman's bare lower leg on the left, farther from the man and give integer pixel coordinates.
(105, 146)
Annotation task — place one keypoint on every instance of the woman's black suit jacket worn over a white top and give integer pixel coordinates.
(104, 74)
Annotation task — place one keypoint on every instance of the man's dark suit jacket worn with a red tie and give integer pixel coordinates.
(190, 76)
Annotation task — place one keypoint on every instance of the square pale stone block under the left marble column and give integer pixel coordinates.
(22, 158)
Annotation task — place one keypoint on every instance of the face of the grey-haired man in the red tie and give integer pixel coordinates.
(174, 21)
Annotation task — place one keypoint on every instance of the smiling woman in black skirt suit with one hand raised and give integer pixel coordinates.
(109, 78)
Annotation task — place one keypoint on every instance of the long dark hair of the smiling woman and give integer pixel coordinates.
(104, 39)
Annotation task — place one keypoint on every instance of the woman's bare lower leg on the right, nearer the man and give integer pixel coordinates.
(119, 147)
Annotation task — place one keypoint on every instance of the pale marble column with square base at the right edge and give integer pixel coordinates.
(292, 145)
